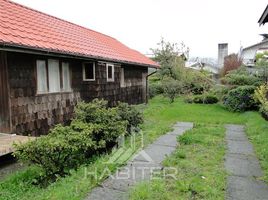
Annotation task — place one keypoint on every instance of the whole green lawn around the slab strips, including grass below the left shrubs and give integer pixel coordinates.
(202, 158)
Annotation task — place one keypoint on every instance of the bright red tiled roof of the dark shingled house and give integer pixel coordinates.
(24, 27)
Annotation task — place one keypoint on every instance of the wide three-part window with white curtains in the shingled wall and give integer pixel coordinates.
(51, 77)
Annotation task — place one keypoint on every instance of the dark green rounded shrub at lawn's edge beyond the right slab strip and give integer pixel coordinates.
(240, 99)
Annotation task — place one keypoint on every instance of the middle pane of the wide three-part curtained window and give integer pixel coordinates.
(54, 75)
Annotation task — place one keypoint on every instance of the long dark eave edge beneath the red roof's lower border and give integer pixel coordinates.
(54, 53)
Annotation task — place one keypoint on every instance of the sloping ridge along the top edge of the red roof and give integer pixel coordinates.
(58, 18)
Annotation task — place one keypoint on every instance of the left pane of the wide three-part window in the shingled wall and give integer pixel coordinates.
(41, 76)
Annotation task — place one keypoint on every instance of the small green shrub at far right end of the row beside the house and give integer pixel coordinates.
(130, 114)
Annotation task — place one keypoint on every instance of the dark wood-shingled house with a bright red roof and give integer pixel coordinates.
(47, 65)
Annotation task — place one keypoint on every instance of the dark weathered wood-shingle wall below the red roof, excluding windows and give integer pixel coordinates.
(33, 114)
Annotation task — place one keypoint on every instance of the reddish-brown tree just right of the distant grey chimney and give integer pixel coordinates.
(231, 62)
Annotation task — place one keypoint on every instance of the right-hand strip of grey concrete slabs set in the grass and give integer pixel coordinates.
(243, 167)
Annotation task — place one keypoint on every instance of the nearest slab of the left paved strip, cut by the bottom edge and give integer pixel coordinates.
(101, 193)
